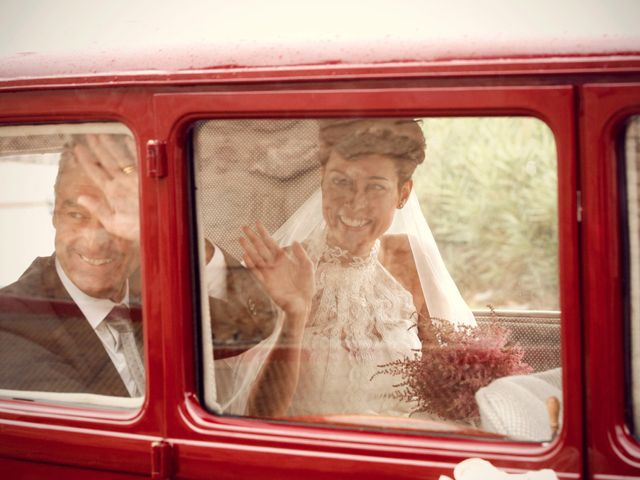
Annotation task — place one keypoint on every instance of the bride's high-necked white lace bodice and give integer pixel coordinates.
(361, 318)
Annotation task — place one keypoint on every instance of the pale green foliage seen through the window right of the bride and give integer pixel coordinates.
(488, 188)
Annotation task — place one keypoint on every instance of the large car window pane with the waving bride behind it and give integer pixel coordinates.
(460, 262)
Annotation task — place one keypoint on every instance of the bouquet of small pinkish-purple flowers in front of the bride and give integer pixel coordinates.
(453, 364)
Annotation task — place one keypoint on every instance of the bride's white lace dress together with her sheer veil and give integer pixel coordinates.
(361, 319)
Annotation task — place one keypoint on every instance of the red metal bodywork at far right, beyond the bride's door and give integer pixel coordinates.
(611, 448)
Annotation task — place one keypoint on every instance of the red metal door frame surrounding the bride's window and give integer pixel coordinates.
(245, 447)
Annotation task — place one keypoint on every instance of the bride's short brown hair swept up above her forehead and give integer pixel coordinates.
(401, 139)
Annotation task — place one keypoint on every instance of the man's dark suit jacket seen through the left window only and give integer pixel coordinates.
(45, 341)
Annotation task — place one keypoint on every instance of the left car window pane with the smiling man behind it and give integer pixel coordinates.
(70, 300)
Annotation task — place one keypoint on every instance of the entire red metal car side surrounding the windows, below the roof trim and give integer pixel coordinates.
(108, 441)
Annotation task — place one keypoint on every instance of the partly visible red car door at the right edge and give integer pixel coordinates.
(607, 115)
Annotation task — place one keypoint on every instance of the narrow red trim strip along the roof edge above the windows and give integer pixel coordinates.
(535, 69)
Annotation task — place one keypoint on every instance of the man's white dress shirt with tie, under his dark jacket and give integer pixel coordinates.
(95, 311)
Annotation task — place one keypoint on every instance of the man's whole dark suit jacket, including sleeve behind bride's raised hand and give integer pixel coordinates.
(46, 344)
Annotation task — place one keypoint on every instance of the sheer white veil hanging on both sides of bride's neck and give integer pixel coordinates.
(440, 291)
